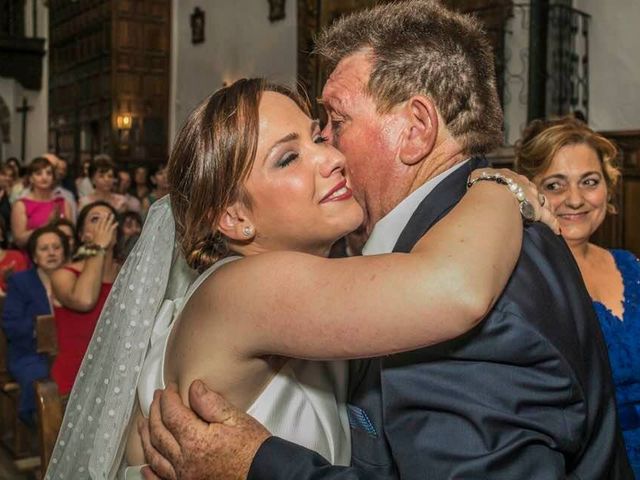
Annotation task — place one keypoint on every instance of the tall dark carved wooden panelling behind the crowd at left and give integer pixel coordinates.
(109, 57)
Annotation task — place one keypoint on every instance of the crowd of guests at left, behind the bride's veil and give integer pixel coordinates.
(62, 242)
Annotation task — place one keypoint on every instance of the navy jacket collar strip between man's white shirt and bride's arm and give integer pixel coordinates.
(436, 205)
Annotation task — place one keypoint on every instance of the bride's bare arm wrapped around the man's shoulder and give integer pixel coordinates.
(299, 305)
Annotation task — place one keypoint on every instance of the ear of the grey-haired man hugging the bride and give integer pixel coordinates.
(421, 129)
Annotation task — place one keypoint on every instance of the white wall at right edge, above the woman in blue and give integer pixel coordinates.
(614, 63)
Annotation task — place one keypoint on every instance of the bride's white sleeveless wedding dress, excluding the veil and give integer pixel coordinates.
(305, 401)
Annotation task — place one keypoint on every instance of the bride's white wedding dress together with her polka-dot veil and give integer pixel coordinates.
(303, 403)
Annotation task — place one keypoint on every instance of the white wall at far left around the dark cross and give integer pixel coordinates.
(13, 93)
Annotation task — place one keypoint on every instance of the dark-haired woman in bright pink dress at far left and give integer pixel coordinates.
(40, 205)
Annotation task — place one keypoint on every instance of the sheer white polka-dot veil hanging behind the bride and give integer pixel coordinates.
(93, 433)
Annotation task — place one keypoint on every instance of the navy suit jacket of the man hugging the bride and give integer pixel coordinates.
(525, 395)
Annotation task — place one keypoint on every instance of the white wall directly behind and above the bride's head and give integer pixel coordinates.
(240, 41)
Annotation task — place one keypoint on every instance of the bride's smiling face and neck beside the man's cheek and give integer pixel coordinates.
(301, 199)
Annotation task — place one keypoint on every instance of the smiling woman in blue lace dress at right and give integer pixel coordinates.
(572, 166)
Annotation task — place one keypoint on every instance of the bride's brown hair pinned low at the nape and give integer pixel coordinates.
(210, 161)
